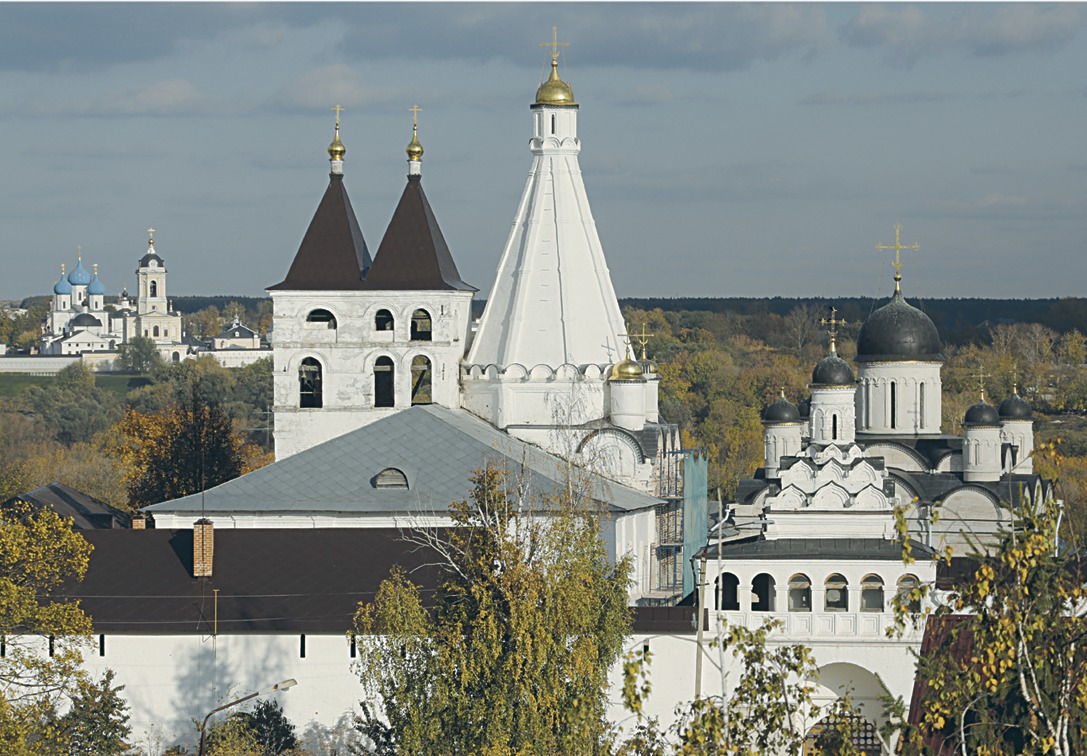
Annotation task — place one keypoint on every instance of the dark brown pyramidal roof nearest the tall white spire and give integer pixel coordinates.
(414, 254)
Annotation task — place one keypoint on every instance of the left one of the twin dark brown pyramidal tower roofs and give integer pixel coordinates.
(333, 255)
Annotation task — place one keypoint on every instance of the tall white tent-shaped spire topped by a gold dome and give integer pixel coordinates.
(553, 303)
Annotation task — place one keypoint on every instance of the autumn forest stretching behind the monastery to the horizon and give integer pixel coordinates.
(721, 363)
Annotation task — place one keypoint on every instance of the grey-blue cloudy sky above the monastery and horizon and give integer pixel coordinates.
(729, 151)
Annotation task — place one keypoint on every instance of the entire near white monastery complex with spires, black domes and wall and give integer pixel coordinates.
(388, 400)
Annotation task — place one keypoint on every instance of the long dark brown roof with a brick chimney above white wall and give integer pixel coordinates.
(269, 581)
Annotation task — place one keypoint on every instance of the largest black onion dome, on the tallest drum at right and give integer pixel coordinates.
(898, 331)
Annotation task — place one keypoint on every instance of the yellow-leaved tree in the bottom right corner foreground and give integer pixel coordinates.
(1010, 675)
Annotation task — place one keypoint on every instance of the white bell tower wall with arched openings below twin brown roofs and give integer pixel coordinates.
(373, 354)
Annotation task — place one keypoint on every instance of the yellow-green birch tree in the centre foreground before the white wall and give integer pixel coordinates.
(513, 658)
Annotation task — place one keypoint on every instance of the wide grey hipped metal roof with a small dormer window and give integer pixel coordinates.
(435, 448)
